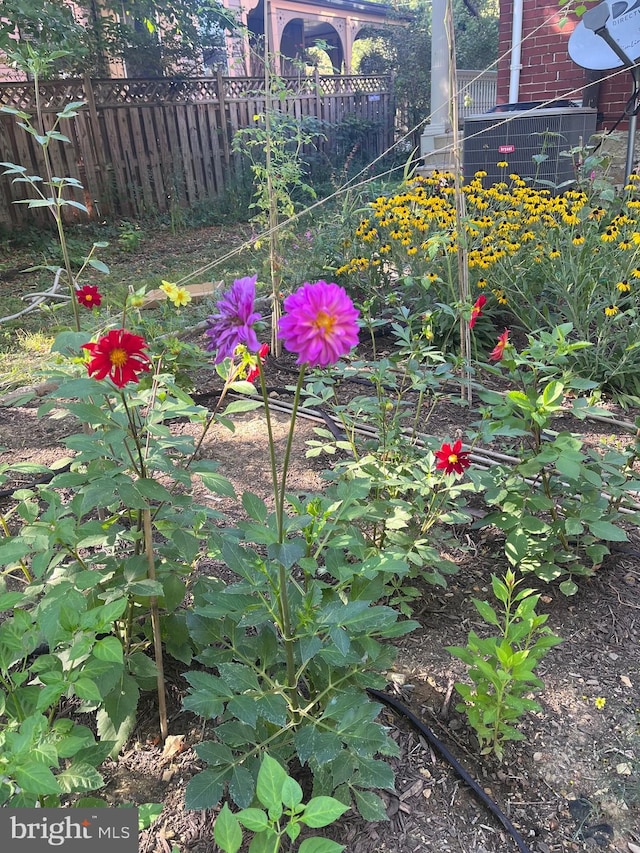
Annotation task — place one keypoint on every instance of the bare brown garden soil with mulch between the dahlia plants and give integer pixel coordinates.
(572, 783)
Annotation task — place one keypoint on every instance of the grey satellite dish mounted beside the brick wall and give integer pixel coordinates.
(589, 50)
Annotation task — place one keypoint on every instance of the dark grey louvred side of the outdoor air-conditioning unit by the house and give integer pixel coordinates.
(514, 138)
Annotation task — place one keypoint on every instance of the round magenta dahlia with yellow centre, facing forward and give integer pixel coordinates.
(320, 324)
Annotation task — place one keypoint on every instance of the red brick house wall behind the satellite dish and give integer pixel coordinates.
(547, 70)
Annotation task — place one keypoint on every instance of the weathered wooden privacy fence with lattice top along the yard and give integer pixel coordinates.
(140, 146)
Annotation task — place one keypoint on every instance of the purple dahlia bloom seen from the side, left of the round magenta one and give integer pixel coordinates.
(235, 320)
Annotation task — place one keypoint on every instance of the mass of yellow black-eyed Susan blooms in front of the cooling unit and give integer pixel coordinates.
(416, 229)
